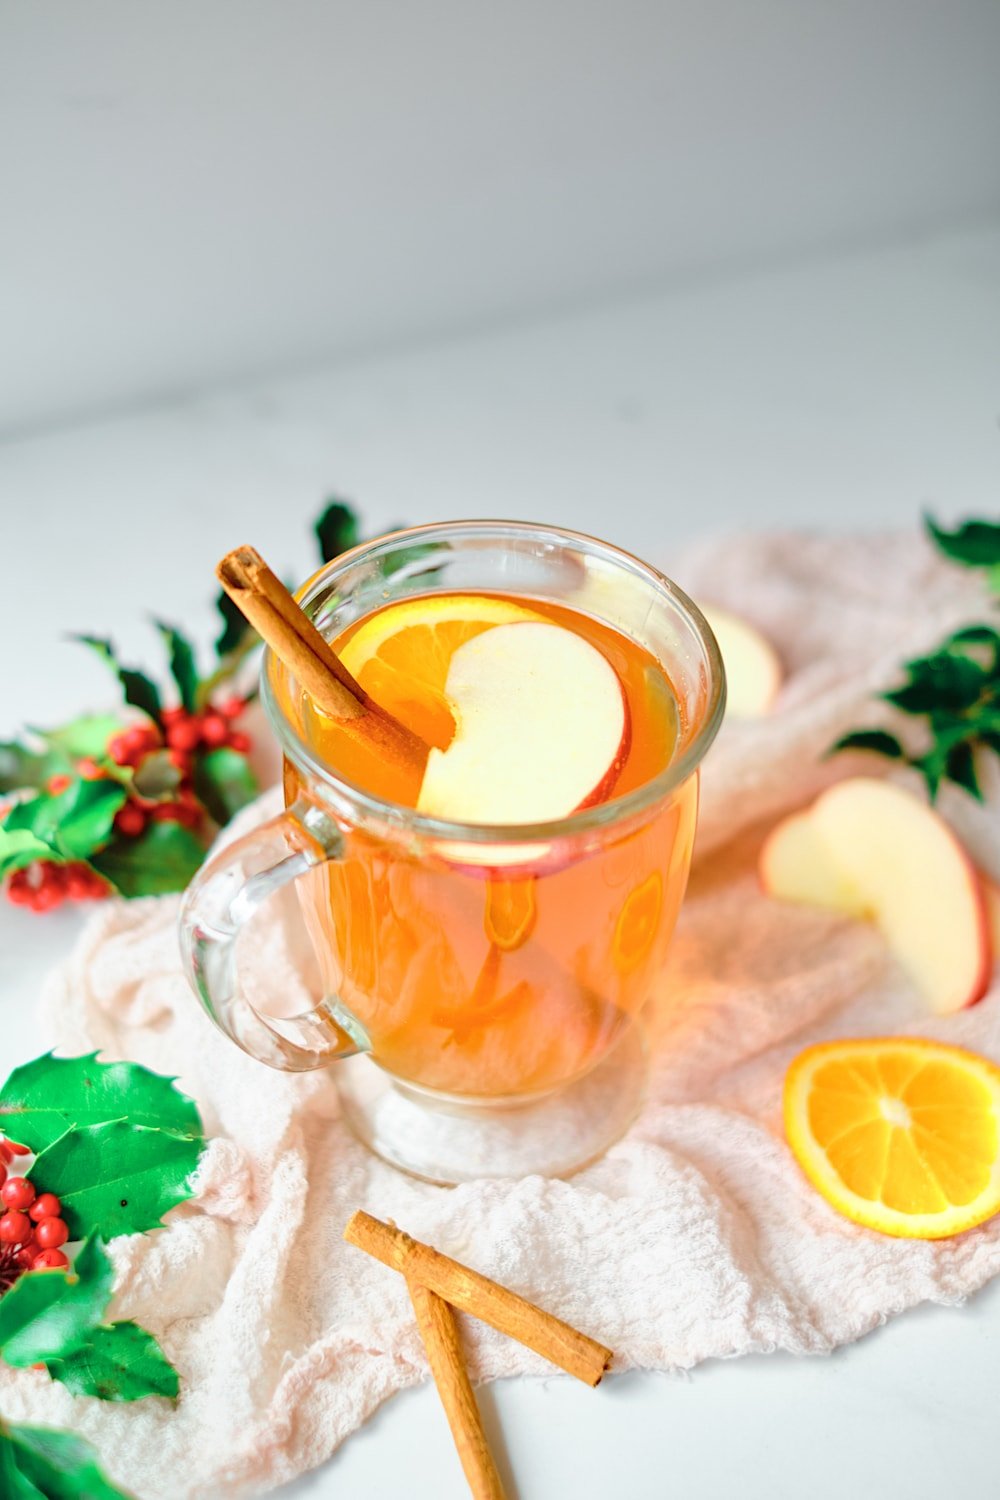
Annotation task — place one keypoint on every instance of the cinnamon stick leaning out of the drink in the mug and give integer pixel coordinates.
(292, 635)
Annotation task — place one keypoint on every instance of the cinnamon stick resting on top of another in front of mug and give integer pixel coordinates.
(487, 1300)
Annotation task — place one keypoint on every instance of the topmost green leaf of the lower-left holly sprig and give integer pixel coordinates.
(44, 1099)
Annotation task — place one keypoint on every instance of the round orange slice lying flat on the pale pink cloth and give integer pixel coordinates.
(899, 1135)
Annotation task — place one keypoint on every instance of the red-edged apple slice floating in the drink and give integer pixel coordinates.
(542, 728)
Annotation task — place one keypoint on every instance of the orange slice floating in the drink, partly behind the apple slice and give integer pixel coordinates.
(403, 653)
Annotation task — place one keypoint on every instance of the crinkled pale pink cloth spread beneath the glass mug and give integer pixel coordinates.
(696, 1237)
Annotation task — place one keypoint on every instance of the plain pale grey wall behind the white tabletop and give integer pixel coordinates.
(203, 190)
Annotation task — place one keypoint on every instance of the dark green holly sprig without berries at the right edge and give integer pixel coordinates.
(953, 692)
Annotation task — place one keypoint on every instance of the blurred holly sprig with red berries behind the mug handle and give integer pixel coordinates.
(130, 805)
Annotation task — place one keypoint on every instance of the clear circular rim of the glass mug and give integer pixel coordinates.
(617, 809)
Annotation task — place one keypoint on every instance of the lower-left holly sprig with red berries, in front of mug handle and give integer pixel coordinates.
(115, 1147)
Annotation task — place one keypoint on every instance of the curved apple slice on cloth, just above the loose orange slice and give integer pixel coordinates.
(869, 848)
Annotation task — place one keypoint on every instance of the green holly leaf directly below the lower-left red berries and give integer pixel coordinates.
(49, 1313)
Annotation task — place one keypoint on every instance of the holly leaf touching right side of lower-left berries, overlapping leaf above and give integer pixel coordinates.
(118, 1178)
